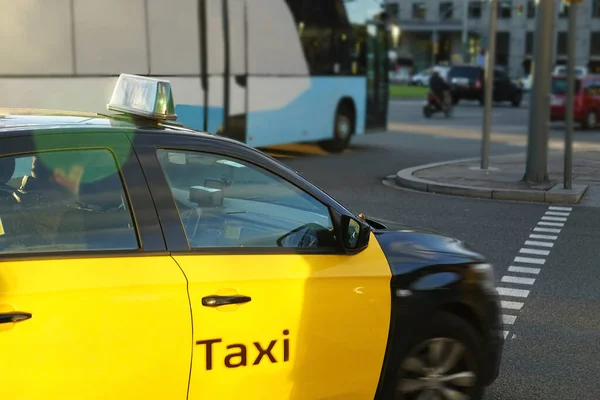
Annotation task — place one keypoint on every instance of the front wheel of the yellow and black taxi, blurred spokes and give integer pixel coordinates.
(445, 363)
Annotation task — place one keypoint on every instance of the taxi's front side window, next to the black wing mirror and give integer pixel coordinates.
(225, 202)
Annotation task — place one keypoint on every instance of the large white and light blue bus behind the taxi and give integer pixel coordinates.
(263, 72)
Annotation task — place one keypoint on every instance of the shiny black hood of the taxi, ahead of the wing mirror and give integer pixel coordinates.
(409, 245)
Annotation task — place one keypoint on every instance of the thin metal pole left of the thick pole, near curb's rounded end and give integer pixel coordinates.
(489, 85)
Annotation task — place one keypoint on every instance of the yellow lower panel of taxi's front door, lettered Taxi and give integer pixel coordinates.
(316, 326)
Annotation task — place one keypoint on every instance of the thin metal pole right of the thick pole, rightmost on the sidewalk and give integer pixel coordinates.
(570, 94)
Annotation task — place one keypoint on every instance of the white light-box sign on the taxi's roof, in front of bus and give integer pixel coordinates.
(144, 97)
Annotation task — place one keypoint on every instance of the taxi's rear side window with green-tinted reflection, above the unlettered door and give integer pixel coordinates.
(63, 201)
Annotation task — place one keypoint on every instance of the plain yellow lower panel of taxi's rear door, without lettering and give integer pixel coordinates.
(102, 328)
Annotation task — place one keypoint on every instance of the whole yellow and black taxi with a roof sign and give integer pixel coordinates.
(143, 260)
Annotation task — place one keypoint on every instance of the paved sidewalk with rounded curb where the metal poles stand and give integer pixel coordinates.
(503, 179)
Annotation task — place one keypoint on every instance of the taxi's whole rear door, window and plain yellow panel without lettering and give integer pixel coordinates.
(91, 305)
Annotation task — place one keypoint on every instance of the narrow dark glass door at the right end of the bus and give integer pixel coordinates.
(377, 76)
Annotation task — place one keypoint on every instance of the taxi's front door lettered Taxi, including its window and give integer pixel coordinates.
(269, 322)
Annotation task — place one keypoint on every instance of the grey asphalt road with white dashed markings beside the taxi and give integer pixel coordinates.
(553, 344)
